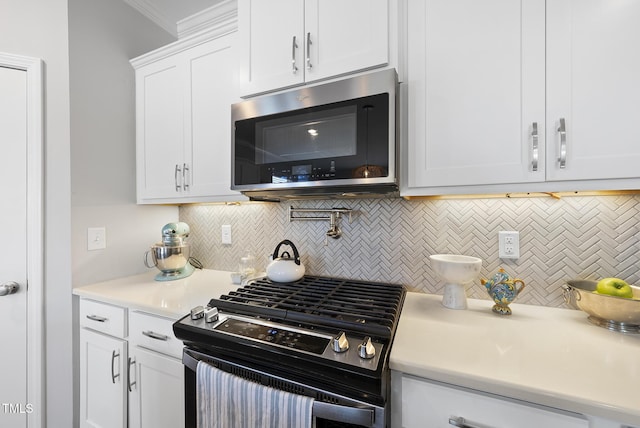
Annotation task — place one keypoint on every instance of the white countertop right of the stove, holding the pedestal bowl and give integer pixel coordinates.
(548, 356)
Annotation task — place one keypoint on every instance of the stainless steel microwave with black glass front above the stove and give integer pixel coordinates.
(331, 140)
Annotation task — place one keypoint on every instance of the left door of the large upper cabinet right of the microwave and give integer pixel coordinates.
(475, 90)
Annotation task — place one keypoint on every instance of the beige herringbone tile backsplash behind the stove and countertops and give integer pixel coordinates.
(390, 239)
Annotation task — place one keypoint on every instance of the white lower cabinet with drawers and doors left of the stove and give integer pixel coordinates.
(134, 383)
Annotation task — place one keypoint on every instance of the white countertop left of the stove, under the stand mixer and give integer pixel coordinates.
(172, 299)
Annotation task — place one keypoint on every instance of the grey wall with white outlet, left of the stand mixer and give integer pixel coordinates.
(103, 36)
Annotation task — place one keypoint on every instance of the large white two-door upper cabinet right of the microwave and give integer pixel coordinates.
(498, 92)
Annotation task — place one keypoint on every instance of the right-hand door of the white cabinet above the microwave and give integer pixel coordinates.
(342, 37)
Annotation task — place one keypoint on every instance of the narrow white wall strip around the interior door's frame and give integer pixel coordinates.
(38, 28)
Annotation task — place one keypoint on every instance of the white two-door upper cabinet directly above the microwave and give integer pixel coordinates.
(290, 42)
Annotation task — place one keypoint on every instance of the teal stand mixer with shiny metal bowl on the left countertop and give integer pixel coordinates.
(172, 255)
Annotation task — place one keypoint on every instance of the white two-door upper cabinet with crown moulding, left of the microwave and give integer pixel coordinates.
(184, 94)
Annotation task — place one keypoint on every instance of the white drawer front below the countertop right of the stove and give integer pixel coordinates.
(430, 404)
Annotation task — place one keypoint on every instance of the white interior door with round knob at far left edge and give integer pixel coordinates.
(15, 407)
